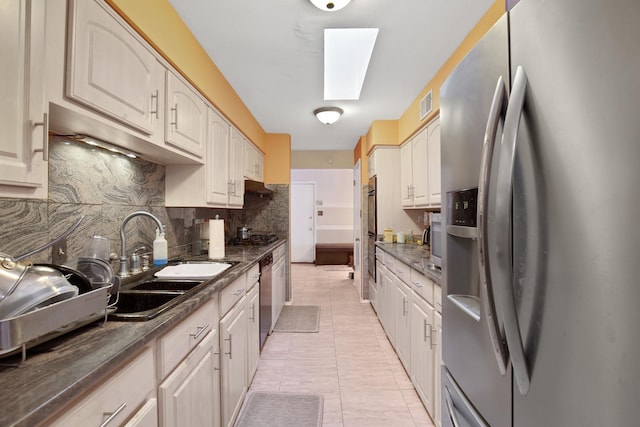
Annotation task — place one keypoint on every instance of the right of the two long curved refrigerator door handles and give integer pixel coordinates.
(504, 191)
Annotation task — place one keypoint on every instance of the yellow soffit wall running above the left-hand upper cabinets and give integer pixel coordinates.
(158, 22)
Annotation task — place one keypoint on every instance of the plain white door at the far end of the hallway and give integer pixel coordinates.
(303, 221)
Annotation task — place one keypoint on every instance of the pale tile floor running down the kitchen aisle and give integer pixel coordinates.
(349, 361)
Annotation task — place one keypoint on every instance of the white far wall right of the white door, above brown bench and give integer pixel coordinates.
(334, 202)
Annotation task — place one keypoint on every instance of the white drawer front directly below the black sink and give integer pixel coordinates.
(178, 342)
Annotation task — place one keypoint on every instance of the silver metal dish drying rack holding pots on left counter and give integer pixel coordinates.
(19, 333)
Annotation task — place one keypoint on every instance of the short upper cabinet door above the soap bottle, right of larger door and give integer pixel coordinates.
(186, 117)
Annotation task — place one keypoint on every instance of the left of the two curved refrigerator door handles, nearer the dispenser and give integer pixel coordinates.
(497, 110)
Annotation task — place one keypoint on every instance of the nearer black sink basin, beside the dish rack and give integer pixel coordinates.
(145, 305)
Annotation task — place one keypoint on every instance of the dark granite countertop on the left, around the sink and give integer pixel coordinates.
(63, 369)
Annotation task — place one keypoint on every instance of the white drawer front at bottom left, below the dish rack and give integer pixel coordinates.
(120, 396)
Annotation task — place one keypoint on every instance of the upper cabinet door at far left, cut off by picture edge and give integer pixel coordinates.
(22, 26)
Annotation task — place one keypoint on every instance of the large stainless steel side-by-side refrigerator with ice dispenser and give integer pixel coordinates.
(540, 172)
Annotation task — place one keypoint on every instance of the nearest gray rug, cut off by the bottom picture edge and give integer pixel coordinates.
(277, 409)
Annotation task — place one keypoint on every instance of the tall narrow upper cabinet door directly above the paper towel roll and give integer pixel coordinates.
(217, 160)
